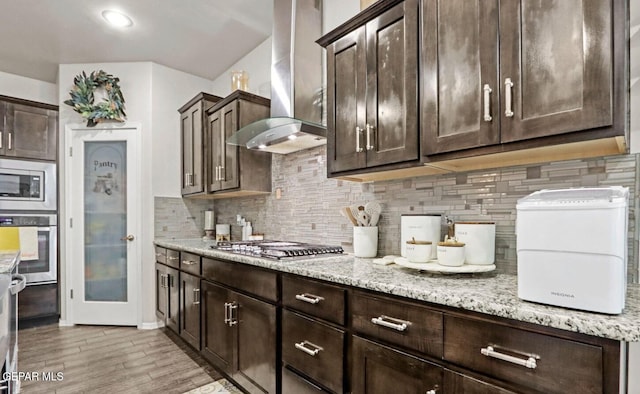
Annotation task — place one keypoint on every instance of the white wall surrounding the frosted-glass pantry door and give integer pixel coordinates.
(153, 94)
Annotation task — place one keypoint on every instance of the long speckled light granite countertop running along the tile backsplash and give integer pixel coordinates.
(490, 293)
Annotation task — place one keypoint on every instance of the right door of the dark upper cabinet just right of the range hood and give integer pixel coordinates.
(391, 129)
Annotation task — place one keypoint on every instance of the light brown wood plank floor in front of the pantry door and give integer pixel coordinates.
(103, 359)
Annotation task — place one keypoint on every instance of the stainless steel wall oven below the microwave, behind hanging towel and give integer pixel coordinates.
(44, 269)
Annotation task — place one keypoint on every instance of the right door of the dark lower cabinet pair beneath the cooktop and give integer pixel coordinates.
(256, 345)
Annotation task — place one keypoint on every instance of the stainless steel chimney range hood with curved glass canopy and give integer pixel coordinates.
(296, 83)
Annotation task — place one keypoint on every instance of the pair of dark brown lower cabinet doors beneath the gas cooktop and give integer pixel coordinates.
(240, 337)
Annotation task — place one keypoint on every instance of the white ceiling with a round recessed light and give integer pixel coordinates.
(200, 37)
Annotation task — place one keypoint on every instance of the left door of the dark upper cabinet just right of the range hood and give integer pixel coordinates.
(346, 102)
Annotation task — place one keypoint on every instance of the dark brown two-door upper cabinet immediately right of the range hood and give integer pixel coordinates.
(372, 89)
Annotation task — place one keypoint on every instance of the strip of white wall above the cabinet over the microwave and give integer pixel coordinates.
(28, 89)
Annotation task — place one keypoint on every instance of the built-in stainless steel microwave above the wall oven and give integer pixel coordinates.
(27, 185)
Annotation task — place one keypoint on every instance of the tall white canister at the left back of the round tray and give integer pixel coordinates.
(425, 227)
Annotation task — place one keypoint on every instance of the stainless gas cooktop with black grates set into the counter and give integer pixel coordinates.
(279, 250)
